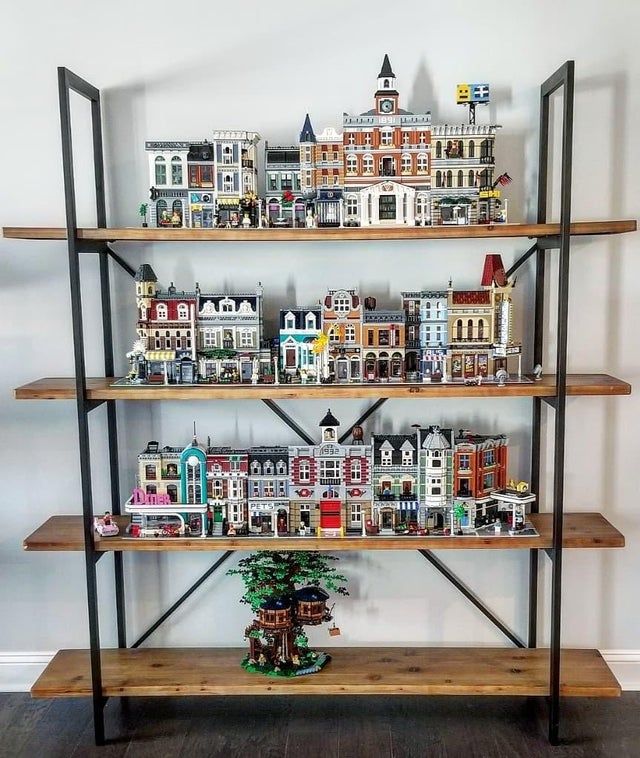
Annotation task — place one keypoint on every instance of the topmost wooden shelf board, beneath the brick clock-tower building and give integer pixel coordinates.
(306, 235)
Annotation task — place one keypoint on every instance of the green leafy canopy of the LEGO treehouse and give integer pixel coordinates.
(270, 574)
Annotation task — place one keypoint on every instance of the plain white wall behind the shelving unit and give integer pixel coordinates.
(263, 67)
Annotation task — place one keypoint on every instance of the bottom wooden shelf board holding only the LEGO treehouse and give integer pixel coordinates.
(352, 671)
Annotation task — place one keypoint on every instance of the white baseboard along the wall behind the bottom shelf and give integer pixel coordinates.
(18, 671)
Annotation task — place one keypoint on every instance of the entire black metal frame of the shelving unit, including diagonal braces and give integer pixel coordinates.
(69, 82)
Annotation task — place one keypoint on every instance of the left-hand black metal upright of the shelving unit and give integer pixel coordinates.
(68, 82)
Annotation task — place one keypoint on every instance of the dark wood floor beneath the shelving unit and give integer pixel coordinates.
(348, 727)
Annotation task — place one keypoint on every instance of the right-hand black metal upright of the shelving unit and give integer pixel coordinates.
(562, 78)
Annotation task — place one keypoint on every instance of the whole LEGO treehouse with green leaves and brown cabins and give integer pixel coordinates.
(287, 592)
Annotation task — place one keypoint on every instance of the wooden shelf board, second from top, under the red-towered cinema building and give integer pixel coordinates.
(99, 388)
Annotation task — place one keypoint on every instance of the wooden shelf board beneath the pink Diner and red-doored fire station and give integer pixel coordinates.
(581, 530)
